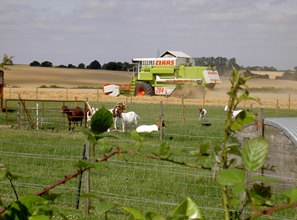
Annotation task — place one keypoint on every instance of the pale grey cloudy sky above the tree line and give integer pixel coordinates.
(255, 32)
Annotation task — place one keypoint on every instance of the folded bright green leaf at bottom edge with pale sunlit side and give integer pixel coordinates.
(187, 209)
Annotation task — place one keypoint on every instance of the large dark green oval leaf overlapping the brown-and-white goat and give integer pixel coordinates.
(101, 121)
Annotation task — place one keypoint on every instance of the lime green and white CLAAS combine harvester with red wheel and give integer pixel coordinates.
(161, 76)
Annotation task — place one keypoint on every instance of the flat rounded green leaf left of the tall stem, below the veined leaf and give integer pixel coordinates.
(230, 177)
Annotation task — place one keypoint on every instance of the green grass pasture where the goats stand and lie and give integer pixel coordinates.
(41, 157)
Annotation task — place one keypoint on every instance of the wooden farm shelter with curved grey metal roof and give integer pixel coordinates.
(281, 134)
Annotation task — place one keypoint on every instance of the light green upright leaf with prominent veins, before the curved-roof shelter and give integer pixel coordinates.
(254, 154)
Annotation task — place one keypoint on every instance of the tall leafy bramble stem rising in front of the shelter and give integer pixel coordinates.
(240, 187)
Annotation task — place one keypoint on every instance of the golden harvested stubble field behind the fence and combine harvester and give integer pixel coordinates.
(87, 84)
